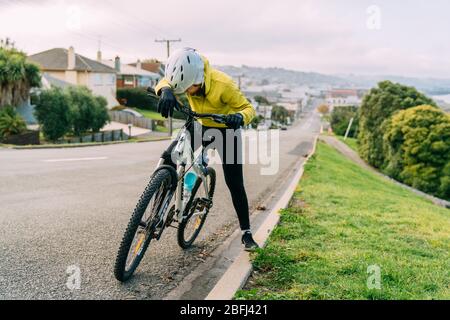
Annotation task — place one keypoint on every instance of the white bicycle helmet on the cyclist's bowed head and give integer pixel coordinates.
(184, 68)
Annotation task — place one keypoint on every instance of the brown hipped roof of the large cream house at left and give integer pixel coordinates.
(56, 59)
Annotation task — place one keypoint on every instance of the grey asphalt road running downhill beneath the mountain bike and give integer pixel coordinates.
(62, 209)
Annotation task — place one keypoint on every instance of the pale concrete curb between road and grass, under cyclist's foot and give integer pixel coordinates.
(239, 271)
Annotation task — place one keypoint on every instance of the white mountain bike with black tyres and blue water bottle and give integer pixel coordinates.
(166, 202)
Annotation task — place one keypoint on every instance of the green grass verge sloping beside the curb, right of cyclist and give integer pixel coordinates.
(344, 219)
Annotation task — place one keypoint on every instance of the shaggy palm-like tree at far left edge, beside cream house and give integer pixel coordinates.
(17, 77)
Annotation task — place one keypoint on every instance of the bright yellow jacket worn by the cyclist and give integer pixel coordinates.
(222, 96)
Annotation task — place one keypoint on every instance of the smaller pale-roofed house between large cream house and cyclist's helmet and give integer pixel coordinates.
(129, 76)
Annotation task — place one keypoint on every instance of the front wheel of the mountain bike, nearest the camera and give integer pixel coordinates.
(142, 225)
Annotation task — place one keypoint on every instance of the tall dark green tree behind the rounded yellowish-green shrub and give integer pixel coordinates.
(380, 104)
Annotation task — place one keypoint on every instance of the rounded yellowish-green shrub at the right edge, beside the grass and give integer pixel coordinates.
(417, 147)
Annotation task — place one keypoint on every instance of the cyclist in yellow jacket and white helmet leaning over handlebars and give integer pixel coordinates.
(211, 91)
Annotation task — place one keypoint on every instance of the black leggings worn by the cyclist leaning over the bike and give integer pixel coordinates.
(232, 168)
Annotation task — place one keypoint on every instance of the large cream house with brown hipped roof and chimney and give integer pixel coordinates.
(67, 66)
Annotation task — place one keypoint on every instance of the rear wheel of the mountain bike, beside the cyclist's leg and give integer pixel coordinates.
(196, 210)
